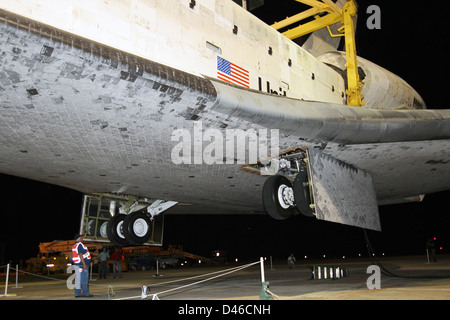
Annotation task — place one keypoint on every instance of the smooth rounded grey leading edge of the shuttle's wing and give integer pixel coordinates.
(326, 122)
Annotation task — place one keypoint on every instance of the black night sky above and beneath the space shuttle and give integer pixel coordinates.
(412, 42)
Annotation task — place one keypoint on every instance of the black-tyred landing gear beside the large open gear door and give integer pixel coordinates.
(283, 198)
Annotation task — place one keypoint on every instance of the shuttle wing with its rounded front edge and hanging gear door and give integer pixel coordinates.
(399, 154)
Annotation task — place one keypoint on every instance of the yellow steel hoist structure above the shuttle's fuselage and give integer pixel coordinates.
(334, 15)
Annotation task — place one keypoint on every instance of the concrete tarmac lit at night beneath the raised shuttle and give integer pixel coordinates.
(409, 278)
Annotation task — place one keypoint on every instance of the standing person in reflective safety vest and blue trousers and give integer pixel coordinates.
(81, 259)
